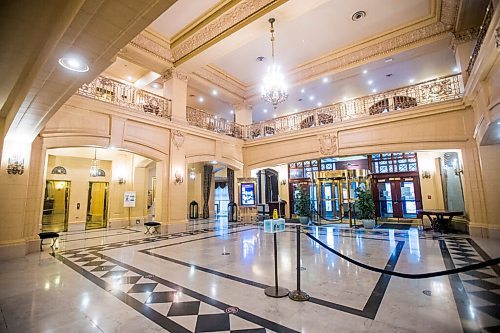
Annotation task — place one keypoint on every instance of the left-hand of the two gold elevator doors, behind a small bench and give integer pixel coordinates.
(55, 206)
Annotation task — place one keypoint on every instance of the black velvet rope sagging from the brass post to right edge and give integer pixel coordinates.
(467, 268)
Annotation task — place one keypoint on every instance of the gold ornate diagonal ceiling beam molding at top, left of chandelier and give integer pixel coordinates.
(221, 26)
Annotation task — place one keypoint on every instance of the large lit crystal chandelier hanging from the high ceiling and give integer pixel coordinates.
(274, 89)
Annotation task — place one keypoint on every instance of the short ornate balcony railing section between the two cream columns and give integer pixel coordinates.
(213, 123)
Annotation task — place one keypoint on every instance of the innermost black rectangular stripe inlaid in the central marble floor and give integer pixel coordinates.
(369, 310)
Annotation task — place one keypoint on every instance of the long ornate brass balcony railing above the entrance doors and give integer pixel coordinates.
(428, 92)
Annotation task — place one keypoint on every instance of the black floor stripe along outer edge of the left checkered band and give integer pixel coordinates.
(143, 309)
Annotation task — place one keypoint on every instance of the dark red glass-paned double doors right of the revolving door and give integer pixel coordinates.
(398, 197)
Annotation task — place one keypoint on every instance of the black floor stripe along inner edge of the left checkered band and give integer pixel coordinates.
(268, 324)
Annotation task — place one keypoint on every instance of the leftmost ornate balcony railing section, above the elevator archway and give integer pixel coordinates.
(117, 93)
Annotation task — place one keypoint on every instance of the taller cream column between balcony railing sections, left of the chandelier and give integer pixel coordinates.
(175, 88)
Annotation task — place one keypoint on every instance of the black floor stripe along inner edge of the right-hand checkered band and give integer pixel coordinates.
(462, 301)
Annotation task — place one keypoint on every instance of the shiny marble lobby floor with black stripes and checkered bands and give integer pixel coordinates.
(210, 276)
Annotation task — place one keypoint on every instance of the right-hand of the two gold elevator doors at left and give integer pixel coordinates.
(97, 206)
